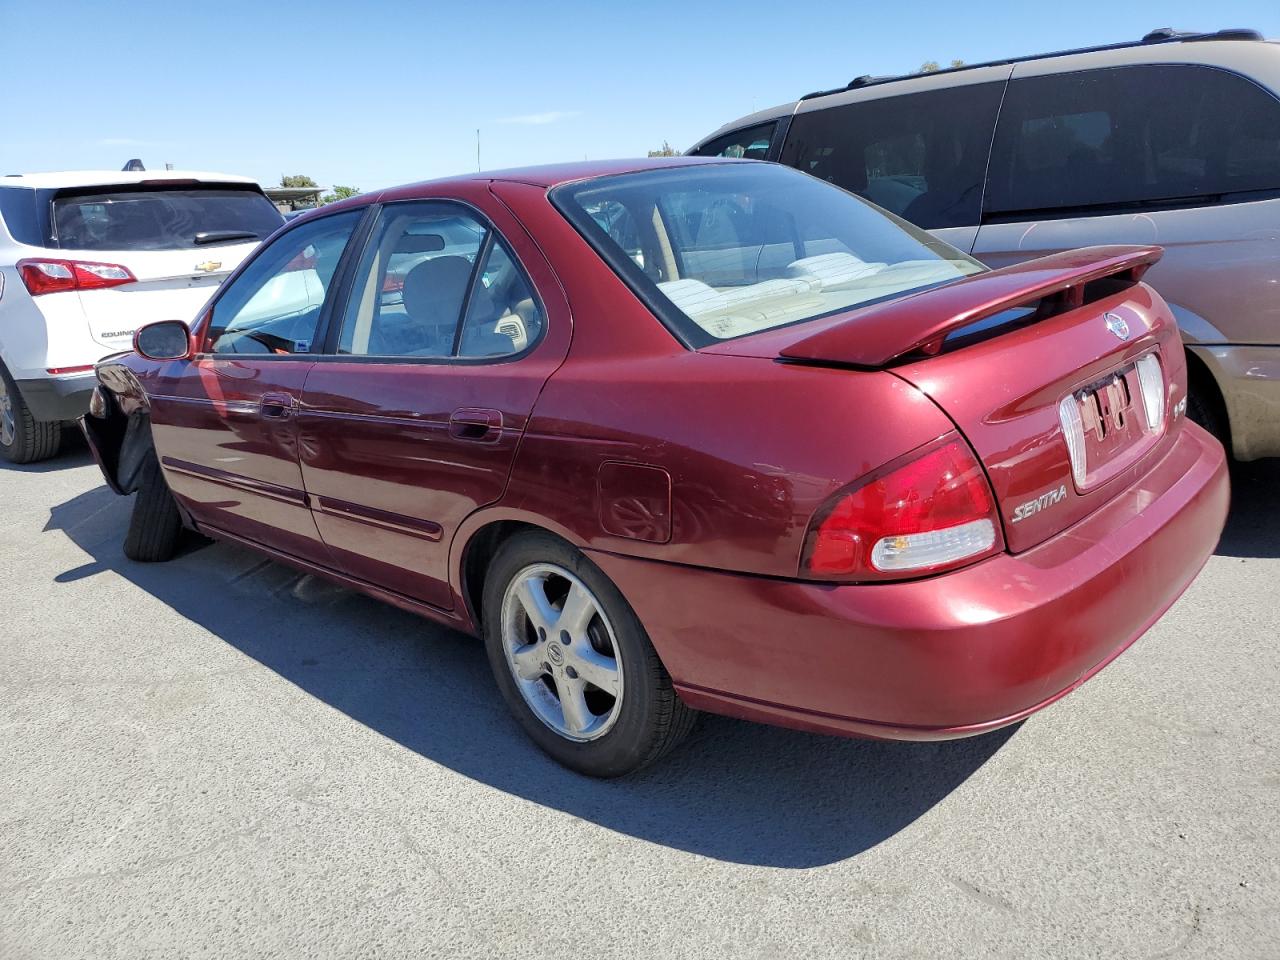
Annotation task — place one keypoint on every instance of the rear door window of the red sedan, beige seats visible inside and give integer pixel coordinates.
(435, 282)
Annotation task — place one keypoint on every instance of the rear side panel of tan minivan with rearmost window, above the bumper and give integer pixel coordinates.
(1180, 156)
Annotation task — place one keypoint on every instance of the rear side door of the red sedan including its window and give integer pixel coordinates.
(413, 420)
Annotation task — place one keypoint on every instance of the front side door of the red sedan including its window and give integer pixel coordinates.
(226, 423)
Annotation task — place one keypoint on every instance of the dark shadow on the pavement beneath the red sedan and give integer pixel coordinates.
(735, 792)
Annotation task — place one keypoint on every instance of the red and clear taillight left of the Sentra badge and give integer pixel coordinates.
(922, 514)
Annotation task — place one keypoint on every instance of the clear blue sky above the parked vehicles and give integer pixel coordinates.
(374, 94)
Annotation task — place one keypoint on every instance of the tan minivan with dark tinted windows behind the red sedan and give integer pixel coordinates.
(1171, 140)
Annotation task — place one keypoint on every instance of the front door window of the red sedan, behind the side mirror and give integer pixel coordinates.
(275, 307)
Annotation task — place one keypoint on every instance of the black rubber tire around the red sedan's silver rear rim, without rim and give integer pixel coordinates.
(652, 720)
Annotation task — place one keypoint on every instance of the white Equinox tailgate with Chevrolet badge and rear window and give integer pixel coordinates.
(180, 240)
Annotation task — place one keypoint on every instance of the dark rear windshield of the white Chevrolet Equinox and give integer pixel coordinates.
(162, 218)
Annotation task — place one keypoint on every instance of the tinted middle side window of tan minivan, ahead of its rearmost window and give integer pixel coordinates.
(922, 157)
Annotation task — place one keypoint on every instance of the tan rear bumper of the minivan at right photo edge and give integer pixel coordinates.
(1250, 380)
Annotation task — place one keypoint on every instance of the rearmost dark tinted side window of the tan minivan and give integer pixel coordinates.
(1130, 138)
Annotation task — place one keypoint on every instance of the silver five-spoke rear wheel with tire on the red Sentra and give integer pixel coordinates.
(574, 662)
